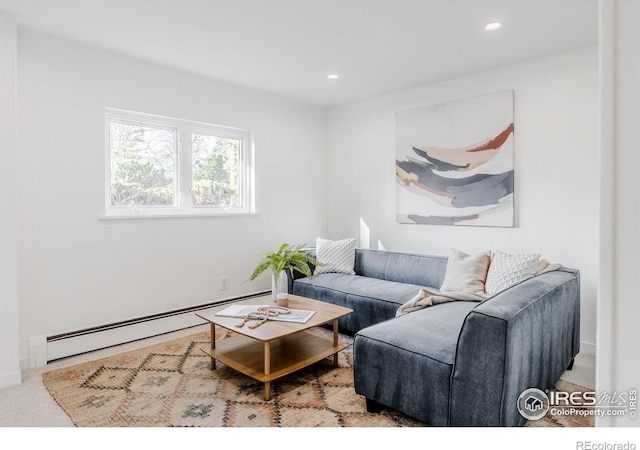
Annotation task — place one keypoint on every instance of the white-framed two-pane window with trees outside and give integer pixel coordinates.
(159, 166)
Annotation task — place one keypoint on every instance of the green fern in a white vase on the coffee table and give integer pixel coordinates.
(286, 259)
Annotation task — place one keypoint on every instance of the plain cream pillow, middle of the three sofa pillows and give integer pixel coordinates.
(465, 273)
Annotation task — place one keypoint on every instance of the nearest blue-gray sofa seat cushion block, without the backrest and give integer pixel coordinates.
(407, 363)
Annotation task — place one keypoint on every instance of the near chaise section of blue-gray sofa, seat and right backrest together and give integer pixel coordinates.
(523, 337)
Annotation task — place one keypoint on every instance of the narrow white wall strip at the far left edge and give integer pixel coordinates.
(9, 368)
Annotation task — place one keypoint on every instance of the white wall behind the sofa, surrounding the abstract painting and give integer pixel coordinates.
(556, 169)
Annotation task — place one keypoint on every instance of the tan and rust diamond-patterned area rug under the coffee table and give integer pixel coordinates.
(171, 385)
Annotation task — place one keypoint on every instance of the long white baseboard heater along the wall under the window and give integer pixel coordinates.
(108, 335)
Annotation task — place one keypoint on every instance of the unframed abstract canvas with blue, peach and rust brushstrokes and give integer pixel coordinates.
(454, 163)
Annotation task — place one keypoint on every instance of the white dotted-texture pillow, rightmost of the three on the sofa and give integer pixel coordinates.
(506, 270)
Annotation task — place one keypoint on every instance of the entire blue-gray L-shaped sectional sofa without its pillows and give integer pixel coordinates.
(460, 363)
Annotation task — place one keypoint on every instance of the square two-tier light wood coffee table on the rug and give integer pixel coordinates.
(274, 349)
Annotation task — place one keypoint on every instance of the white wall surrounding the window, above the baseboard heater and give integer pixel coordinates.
(78, 271)
